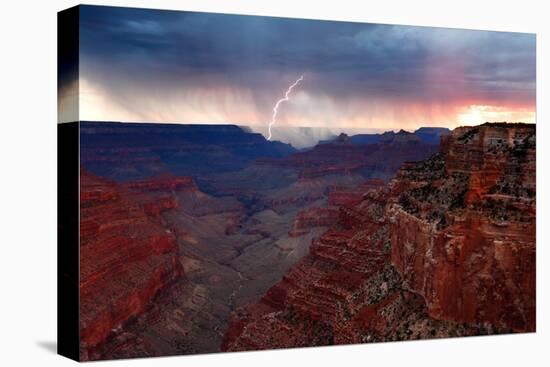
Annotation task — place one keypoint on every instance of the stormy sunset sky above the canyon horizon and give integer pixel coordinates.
(144, 65)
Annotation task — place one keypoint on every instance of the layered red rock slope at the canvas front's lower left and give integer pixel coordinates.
(126, 255)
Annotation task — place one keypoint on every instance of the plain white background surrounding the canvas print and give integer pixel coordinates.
(28, 183)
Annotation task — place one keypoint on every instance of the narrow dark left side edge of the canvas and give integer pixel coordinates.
(68, 186)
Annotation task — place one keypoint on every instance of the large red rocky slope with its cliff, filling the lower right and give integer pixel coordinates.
(438, 252)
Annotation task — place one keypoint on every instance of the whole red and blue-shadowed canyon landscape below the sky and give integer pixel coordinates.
(198, 239)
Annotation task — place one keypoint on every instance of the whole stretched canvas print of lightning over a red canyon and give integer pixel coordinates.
(236, 183)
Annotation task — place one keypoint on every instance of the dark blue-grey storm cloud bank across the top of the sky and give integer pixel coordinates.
(133, 48)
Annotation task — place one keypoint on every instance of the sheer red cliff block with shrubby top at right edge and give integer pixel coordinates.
(464, 236)
